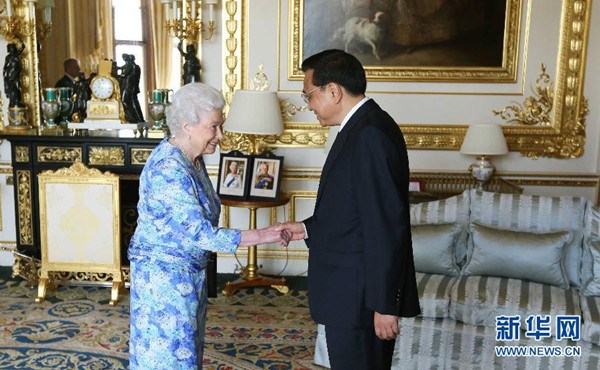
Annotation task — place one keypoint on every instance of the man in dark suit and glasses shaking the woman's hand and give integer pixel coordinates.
(361, 275)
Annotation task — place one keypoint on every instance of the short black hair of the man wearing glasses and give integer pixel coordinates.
(339, 67)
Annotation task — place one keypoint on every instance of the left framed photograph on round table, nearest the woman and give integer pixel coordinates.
(233, 175)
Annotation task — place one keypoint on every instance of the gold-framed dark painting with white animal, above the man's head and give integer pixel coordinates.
(465, 41)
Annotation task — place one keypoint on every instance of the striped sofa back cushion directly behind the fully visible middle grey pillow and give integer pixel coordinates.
(541, 214)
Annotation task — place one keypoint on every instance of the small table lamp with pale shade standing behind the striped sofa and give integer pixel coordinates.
(483, 141)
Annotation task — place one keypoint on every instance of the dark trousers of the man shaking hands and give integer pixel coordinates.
(358, 349)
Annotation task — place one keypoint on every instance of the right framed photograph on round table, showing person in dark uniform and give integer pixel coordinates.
(266, 176)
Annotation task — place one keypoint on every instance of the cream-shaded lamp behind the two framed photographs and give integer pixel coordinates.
(255, 113)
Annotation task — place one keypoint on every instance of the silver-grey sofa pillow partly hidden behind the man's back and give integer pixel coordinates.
(434, 248)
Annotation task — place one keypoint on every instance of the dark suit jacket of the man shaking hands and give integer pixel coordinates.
(360, 257)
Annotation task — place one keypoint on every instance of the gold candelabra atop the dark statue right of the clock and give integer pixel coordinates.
(184, 19)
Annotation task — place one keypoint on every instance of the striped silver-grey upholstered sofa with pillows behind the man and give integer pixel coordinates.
(482, 257)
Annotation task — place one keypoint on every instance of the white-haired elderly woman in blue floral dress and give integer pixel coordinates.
(177, 229)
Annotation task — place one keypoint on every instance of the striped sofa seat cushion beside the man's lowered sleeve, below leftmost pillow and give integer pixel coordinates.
(434, 294)
